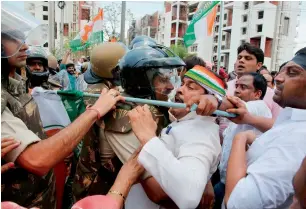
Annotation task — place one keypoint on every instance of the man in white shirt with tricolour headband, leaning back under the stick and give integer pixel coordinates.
(184, 156)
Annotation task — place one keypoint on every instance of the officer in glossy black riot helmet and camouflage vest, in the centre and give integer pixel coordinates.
(145, 72)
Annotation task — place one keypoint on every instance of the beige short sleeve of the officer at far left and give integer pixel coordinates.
(14, 127)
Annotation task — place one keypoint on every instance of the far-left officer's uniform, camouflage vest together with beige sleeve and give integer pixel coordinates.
(20, 119)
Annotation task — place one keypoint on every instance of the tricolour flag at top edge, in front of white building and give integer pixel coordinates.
(202, 23)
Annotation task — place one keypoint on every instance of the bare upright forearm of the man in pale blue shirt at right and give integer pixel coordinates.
(237, 167)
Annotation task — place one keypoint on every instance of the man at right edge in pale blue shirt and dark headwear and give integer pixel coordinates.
(260, 170)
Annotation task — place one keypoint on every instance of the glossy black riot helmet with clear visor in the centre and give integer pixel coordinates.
(146, 72)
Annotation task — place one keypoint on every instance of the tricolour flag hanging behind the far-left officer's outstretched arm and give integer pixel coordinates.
(57, 110)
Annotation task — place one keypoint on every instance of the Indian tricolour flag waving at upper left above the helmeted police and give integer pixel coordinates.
(92, 33)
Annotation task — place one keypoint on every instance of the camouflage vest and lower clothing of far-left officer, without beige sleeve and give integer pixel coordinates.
(18, 185)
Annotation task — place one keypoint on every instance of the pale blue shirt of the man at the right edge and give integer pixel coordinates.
(272, 161)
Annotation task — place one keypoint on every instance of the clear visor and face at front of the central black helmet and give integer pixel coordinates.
(163, 82)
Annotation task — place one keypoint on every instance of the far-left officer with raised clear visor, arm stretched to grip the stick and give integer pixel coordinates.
(31, 183)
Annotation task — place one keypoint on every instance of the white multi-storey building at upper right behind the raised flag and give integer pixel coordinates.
(270, 25)
